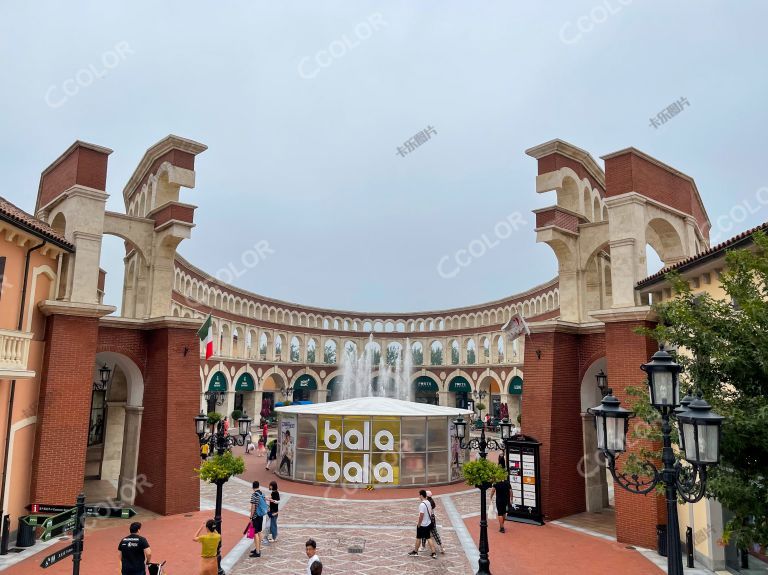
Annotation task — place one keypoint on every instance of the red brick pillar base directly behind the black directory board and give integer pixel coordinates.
(552, 414)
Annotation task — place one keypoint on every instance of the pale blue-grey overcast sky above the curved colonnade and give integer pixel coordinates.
(310, 109)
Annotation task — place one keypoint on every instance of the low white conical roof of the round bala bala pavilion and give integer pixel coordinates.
(374, 406)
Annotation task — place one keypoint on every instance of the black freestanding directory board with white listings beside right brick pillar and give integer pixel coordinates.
(525, 479)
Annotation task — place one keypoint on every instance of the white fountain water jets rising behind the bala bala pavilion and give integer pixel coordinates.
(360, 379)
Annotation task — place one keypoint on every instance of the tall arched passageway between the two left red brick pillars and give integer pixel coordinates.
(114, 430)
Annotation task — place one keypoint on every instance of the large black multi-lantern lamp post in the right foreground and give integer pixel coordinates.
(699, 430)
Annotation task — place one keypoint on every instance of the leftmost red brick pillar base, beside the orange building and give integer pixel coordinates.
(64, 409)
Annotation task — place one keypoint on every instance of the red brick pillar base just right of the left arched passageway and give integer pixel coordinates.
(169, 450)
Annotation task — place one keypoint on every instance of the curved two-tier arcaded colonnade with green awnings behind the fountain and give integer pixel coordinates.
(275, 350)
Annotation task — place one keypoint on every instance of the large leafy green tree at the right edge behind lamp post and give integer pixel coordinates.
(727, 359)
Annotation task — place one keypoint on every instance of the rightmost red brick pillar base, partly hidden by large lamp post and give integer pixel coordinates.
(636, 515)
